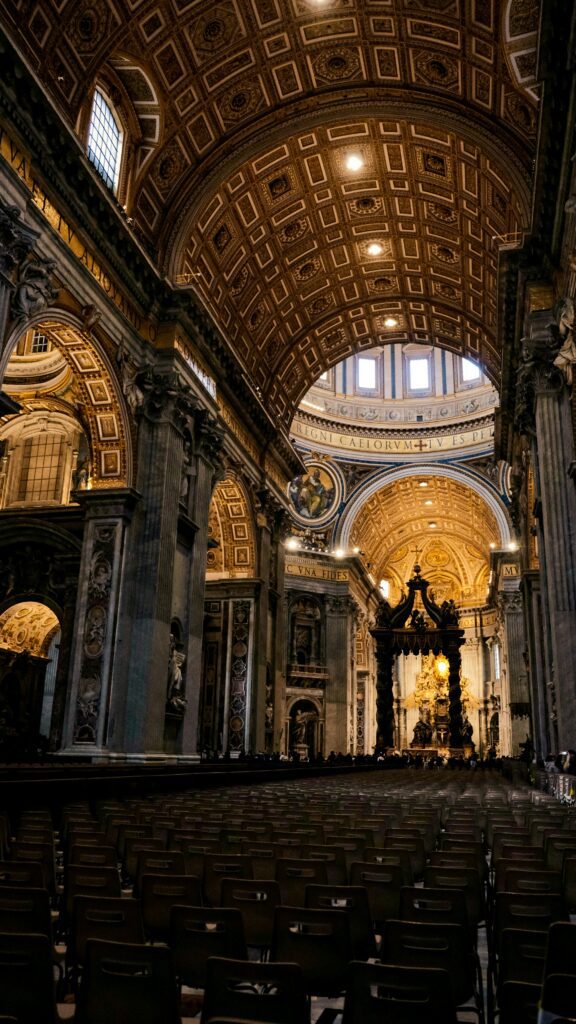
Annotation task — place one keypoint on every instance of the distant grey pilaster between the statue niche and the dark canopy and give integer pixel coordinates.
(338, 663)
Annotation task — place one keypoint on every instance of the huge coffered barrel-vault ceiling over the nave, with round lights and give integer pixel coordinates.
(246, 112)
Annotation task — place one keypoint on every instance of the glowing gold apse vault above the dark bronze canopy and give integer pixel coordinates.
(455, 554)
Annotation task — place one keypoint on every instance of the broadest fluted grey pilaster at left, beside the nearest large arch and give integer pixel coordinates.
(147, 613)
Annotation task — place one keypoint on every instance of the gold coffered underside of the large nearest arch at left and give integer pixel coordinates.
(93, 394)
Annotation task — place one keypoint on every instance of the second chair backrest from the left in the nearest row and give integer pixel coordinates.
(128, 982)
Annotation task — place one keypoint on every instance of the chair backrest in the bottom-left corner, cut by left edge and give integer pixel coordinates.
(27, 989)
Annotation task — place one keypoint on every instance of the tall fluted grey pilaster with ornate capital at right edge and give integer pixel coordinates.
(544, 409)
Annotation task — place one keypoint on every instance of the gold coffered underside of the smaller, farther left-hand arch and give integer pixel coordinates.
(232, 549)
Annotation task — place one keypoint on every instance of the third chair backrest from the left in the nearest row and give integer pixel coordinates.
(273, 994)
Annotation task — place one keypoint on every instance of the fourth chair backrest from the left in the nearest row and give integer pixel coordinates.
(381, 993)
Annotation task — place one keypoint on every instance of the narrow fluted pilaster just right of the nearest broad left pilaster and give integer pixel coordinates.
(208, 444)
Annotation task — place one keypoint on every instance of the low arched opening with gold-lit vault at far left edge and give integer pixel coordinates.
(30, 634)
